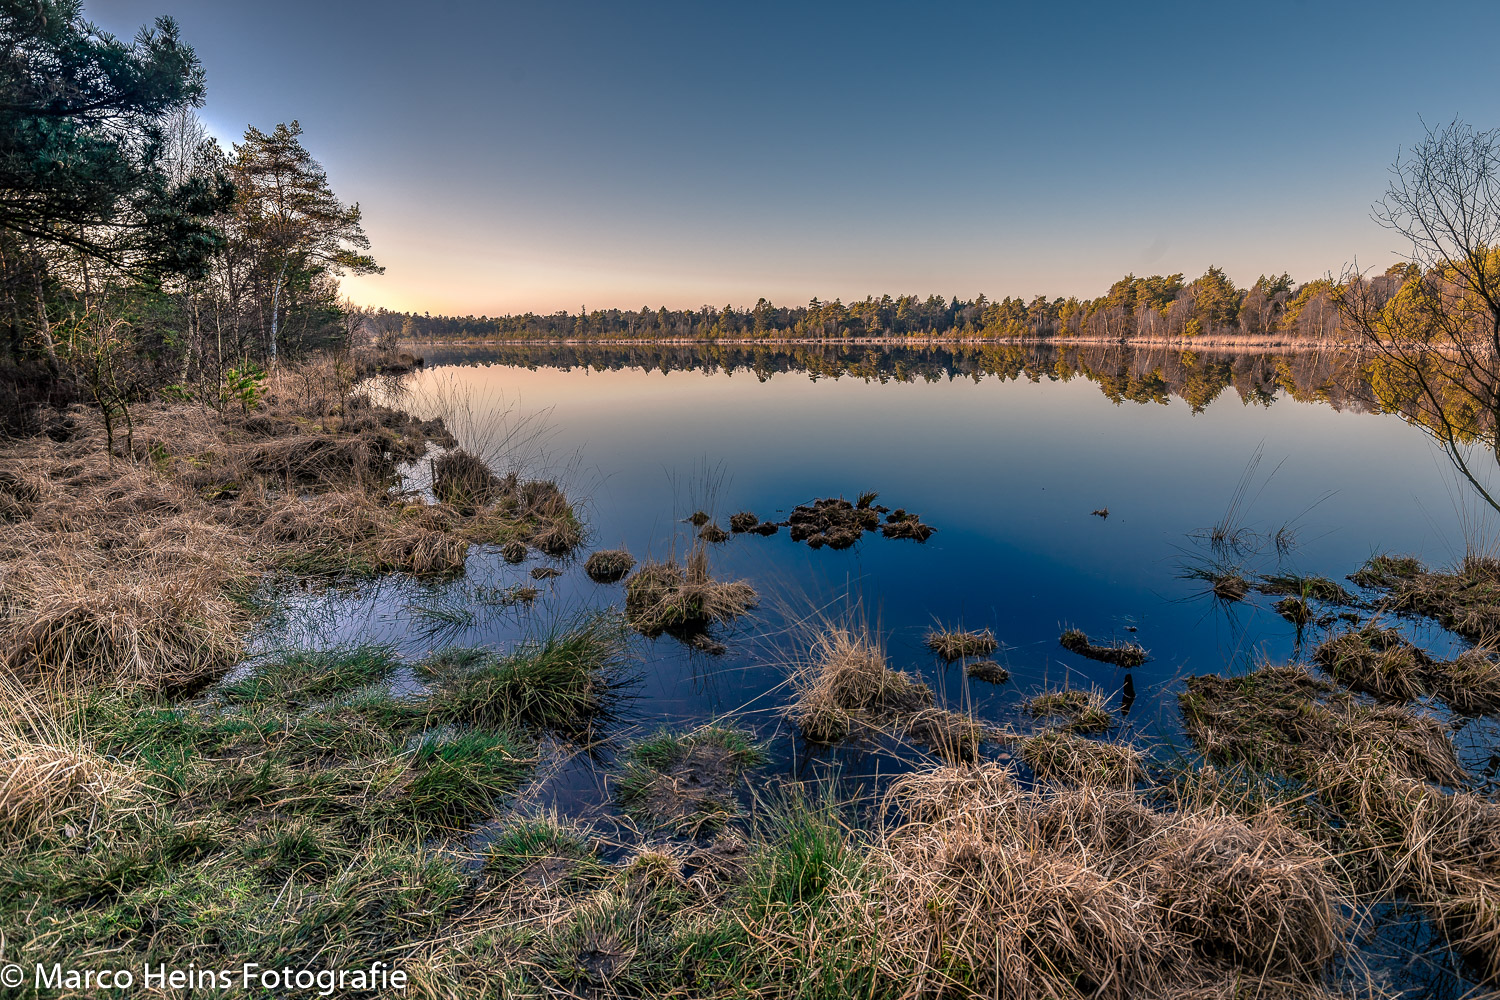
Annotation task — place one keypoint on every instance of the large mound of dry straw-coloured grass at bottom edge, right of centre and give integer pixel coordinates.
(997, 891)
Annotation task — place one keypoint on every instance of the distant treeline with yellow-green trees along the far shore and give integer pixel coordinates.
(1148, 308)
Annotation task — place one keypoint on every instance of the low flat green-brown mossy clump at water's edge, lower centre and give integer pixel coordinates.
(686, 782)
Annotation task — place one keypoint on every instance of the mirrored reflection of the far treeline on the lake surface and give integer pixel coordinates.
(1124, 374)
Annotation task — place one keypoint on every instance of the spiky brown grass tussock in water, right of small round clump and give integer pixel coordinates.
(664, 597)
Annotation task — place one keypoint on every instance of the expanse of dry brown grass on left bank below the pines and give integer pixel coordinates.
(115, 569)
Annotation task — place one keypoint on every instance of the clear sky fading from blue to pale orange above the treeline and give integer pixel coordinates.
(554, 155)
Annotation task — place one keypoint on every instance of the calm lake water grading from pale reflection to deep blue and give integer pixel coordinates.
(1009, 472)
